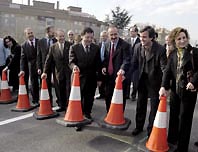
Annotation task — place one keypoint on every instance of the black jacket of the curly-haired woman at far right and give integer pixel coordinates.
(171, 69)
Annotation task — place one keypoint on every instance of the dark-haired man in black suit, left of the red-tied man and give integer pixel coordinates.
(85, 58)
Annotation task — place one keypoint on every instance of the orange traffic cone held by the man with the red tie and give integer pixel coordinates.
(115, 117)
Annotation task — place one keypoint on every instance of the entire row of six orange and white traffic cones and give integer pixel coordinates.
(157, 141)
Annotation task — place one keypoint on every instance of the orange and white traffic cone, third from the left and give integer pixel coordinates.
(45, 109)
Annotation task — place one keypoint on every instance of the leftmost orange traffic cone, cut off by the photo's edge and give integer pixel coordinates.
(6, 96)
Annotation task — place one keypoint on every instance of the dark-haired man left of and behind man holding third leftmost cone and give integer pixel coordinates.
(42, 51)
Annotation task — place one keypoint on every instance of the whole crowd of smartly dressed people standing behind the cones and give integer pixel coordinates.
(151, 69)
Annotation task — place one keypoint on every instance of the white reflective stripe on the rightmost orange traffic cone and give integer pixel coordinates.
(160, 120)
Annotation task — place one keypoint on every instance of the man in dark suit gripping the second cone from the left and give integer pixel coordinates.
(28, 63)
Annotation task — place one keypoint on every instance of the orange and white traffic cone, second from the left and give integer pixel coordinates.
(23, 103)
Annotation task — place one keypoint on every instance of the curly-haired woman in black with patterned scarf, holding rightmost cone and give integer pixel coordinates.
(182, 69)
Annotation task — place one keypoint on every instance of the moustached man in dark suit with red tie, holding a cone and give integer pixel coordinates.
(117, 60)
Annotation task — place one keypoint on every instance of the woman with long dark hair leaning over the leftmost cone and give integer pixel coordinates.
(13, 61)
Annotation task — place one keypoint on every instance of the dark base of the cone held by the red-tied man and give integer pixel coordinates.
(124, 126)
